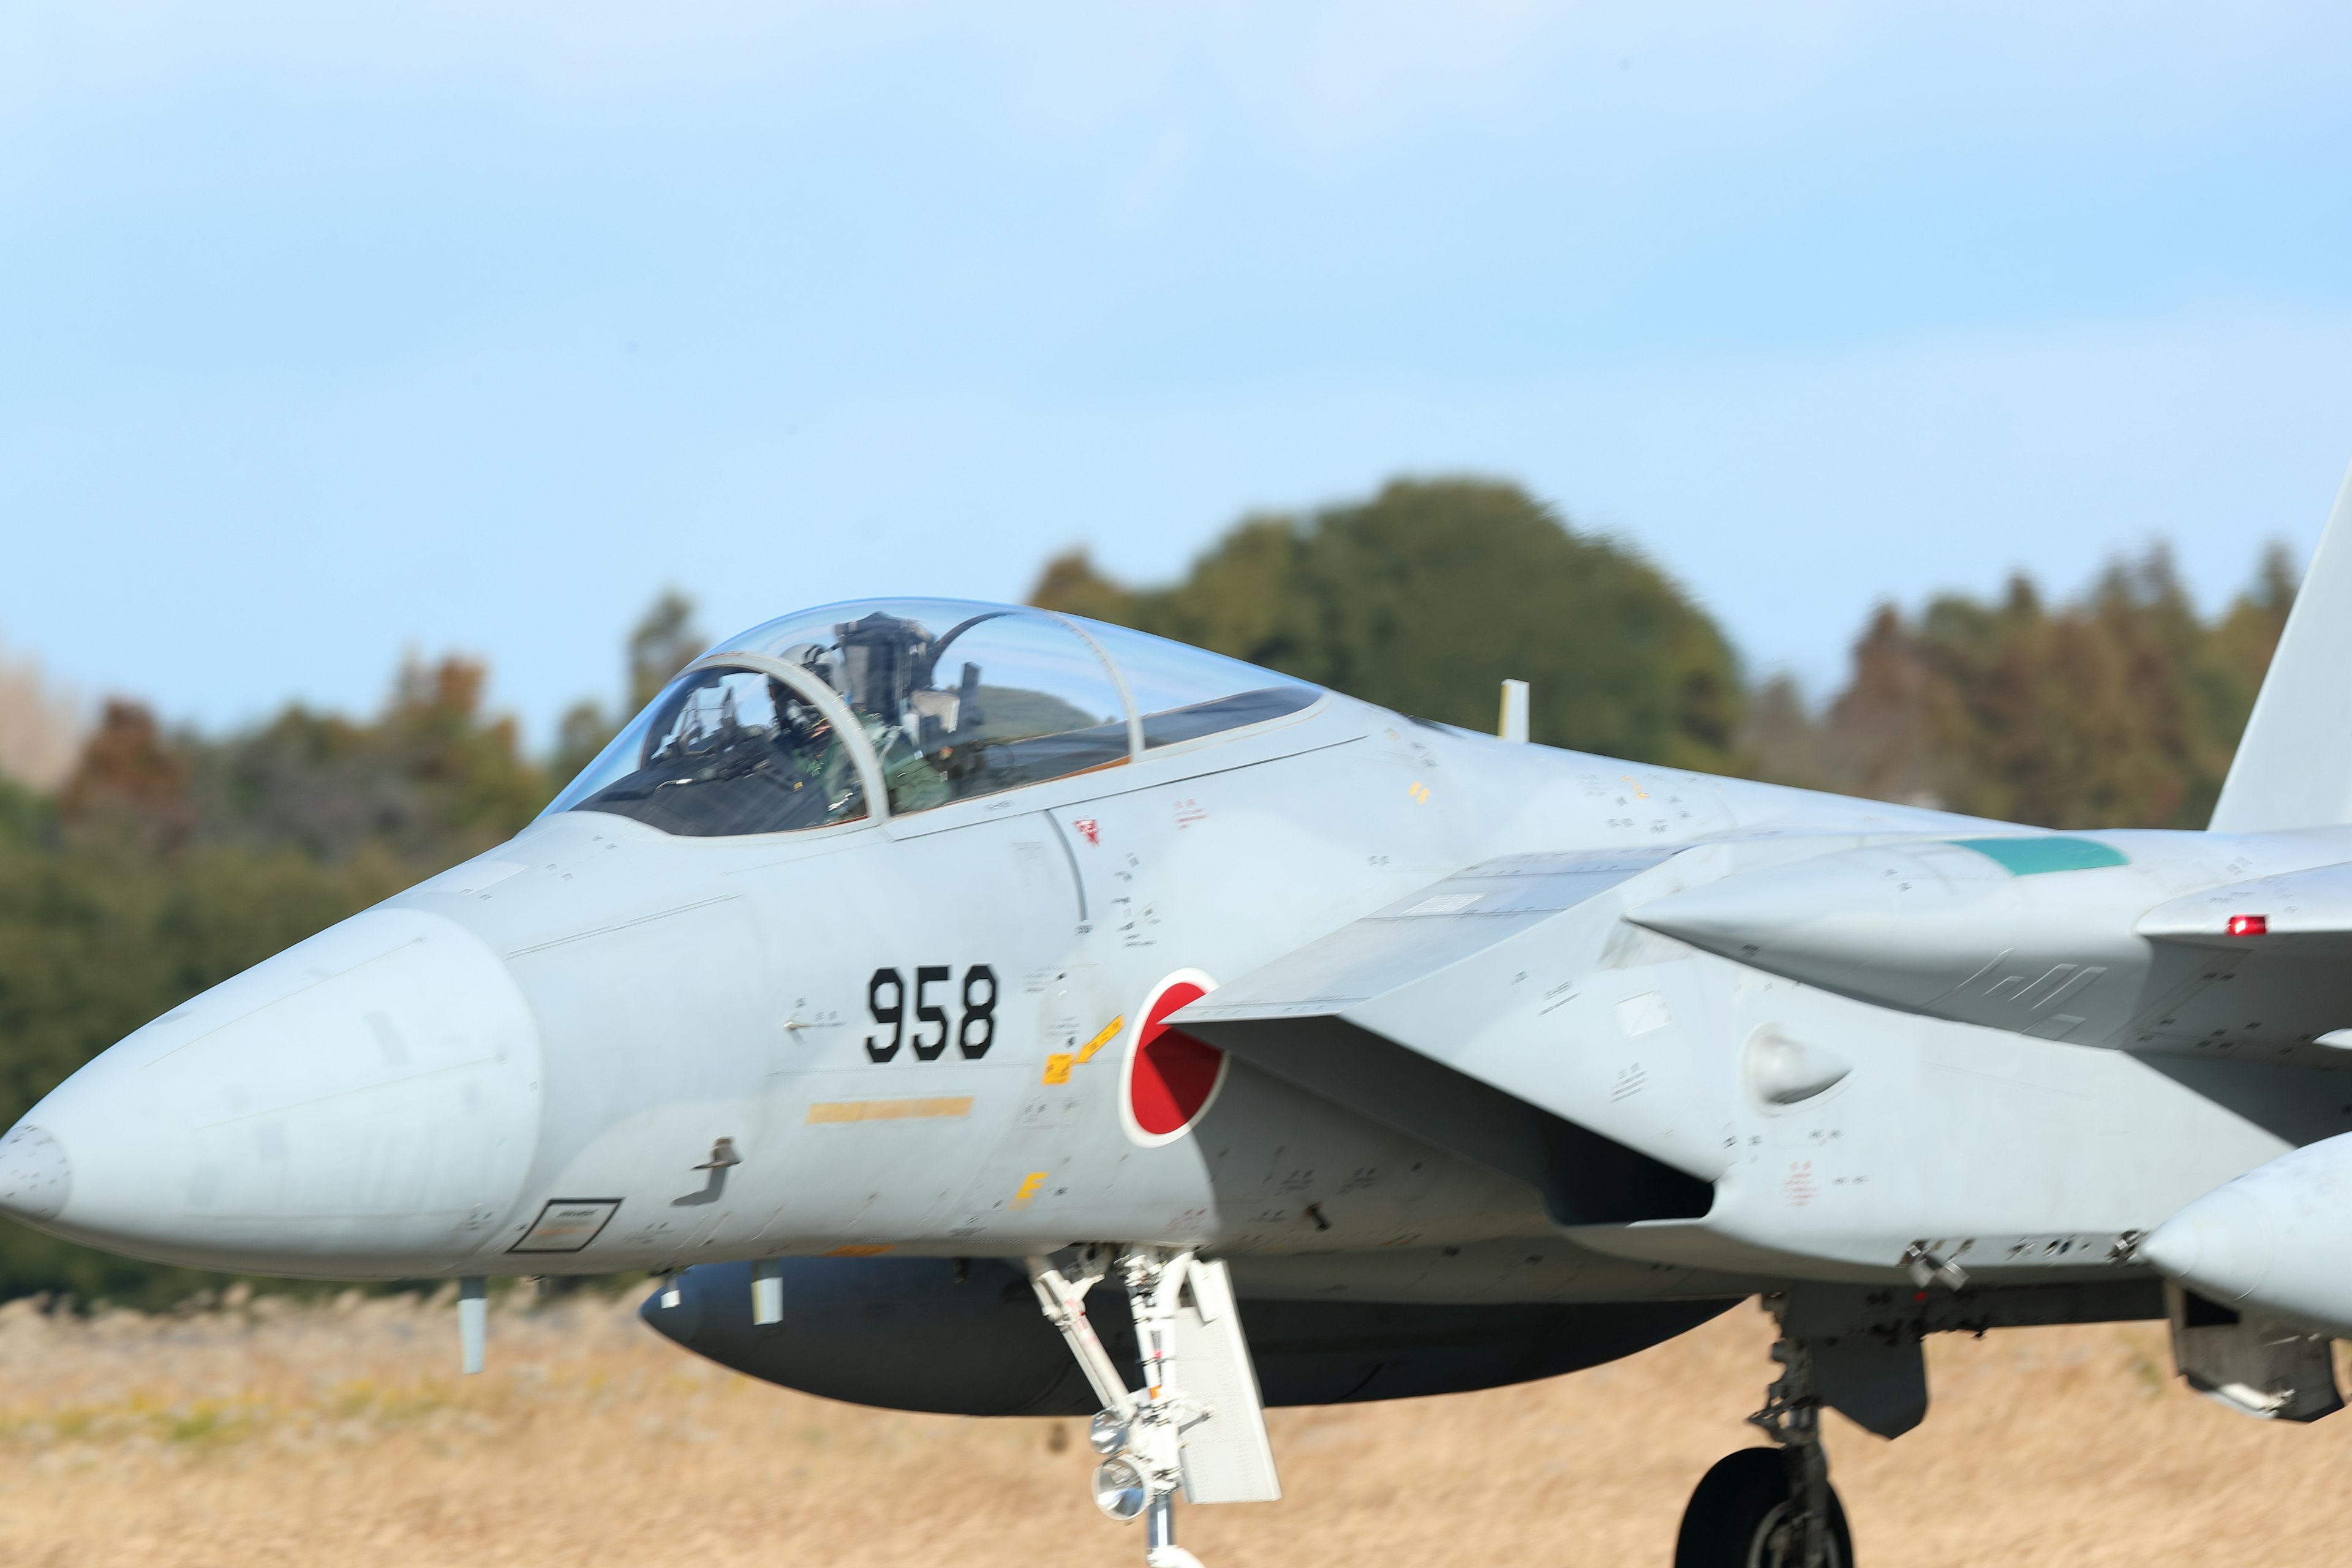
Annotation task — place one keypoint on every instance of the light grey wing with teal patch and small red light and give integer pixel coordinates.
(2059, 937)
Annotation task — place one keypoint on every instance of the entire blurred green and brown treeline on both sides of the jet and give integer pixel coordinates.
(168, 862)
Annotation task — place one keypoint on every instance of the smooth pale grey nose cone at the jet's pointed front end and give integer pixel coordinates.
(361, 1106)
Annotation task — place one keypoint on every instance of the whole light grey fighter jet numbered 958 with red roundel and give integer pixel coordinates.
(907, 972)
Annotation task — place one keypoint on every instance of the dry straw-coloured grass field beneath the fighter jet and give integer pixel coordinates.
(340, 1435)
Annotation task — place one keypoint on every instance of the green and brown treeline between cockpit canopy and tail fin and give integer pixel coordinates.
(2111, 711)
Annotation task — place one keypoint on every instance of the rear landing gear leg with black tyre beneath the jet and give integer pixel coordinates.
(1772, 1508)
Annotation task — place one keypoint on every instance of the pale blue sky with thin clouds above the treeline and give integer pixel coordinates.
(469, 326)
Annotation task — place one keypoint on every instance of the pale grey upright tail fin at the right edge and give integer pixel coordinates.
(2294, 768)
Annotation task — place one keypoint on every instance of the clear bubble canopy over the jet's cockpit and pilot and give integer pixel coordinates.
(813, 718)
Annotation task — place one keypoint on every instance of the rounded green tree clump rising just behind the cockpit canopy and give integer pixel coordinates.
(1436, 591)
